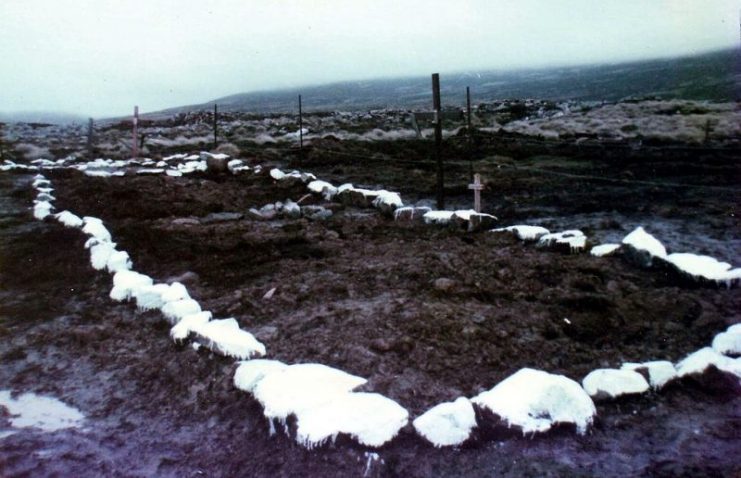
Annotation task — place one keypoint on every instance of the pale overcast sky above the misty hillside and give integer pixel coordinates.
(100, 57)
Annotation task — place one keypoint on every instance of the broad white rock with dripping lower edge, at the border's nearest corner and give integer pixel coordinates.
(369, 418)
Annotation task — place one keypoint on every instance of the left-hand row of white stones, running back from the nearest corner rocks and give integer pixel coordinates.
(321, 397)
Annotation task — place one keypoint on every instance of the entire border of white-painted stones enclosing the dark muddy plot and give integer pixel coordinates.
(446, 424)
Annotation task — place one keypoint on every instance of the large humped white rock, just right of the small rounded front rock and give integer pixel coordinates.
(535, 401)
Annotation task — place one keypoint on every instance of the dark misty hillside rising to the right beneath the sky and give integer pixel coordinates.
(710, 76)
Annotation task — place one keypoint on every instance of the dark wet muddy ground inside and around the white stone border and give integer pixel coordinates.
(358, 292)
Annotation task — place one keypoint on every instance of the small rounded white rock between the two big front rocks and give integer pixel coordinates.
(447, 424)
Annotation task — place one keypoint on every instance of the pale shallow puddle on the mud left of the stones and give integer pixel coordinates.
(35, 411)
